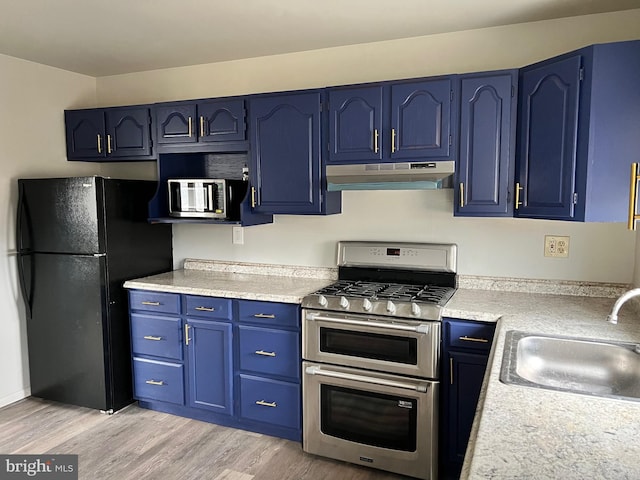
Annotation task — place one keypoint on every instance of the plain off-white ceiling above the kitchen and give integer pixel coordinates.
(100, 38)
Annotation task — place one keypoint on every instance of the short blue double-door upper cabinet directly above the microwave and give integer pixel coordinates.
(206, 121)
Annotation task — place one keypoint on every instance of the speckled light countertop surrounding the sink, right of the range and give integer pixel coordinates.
(528, 433)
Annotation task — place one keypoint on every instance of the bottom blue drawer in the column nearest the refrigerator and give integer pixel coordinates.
(153, 380)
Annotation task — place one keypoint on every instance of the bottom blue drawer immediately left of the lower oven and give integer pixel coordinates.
(270, 401)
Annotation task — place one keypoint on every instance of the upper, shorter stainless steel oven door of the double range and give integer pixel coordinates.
(376, 343)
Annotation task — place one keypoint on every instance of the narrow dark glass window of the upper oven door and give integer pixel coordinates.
(369, 345)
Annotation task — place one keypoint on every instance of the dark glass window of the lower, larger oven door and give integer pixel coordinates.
(369, 418)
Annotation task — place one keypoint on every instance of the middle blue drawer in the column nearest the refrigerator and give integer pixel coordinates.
(156, 335)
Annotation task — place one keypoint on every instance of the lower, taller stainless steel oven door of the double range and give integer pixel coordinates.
(372, 419)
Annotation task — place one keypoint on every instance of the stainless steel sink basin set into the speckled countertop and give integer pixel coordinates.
(591, 367)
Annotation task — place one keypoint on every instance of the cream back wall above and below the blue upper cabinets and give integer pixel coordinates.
(494, 247)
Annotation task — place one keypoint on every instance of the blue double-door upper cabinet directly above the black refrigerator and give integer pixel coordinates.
(109, 134)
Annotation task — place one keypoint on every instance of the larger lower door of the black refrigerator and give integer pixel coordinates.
(68, 331)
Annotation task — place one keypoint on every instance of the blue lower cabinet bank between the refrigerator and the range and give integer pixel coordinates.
(231, 362)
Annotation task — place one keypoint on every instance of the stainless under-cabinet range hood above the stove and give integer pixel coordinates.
(391, 176)
